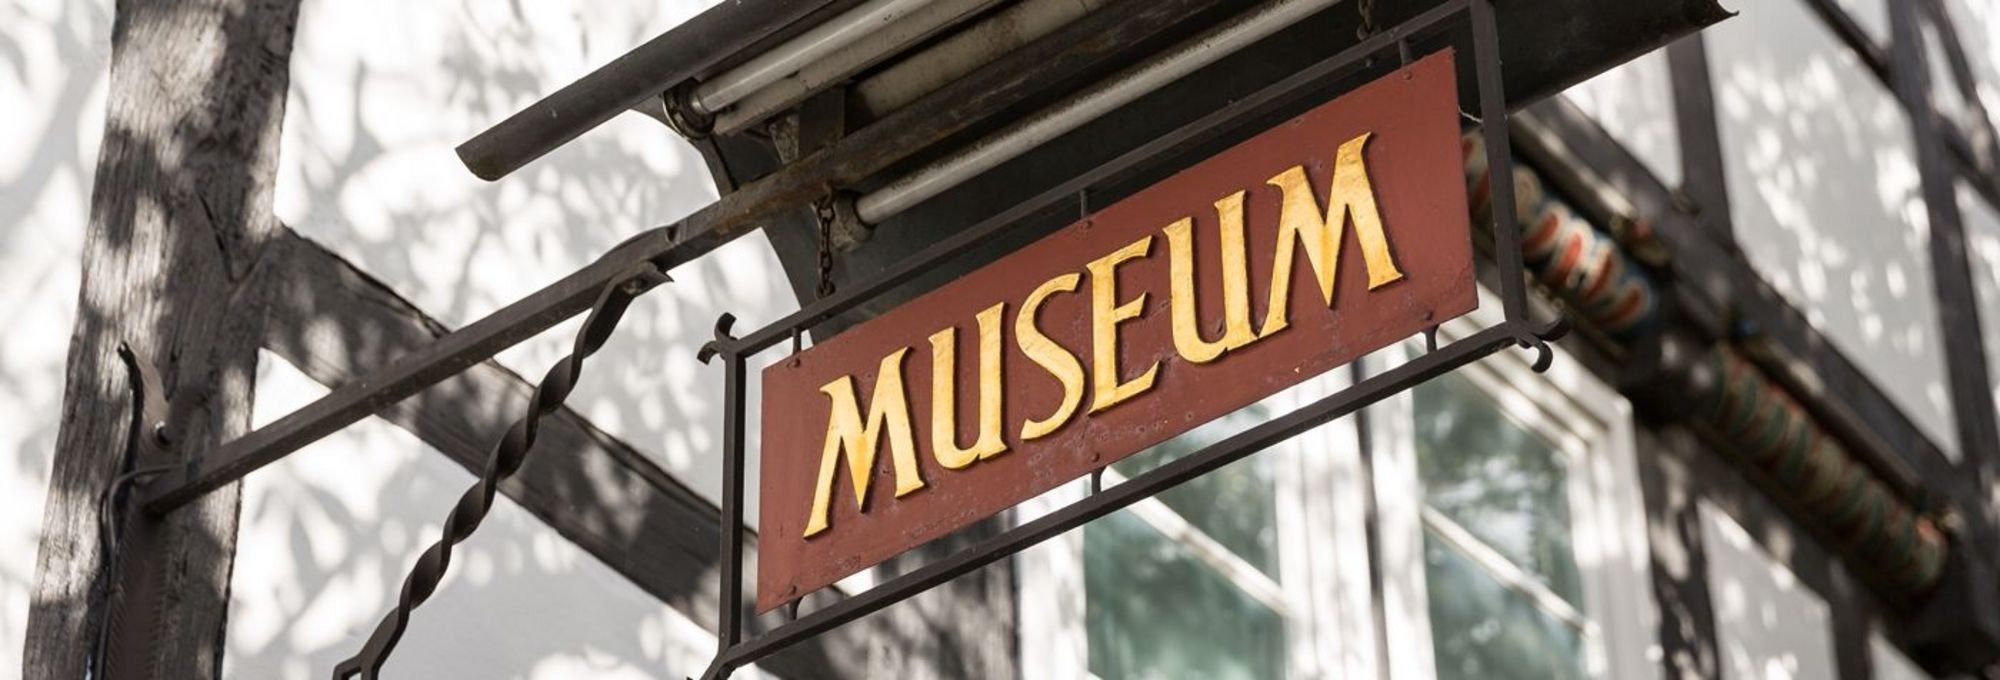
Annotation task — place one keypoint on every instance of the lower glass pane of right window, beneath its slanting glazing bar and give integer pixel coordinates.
(1485, 631)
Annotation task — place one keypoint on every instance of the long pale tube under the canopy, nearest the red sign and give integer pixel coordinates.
(1087, 107)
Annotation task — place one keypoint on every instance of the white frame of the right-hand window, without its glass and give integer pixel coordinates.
(1593, 429)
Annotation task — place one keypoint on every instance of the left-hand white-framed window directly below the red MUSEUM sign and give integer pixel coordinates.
(1255, 571)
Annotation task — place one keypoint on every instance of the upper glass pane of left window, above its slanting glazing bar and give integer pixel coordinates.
(1237, 505)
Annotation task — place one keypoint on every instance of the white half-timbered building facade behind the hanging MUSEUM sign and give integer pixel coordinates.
(1767, 449)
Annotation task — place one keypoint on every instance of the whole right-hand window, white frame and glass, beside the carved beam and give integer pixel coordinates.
(1511, 525)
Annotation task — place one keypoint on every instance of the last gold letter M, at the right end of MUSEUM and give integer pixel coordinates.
(1301, 219)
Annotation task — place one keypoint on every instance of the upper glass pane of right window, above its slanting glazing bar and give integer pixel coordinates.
(1499, 481)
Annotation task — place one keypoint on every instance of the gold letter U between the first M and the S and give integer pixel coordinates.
(945, 393)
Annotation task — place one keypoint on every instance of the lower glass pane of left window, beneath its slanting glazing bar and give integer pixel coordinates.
(1155, 611)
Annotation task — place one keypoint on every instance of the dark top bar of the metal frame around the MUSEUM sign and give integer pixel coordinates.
(1185, 137)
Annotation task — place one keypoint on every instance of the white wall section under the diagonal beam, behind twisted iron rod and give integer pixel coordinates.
(331, 531)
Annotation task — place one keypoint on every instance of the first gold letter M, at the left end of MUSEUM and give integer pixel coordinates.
(889, 409)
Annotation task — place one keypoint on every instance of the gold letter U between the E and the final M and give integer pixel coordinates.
(1235, 285)
